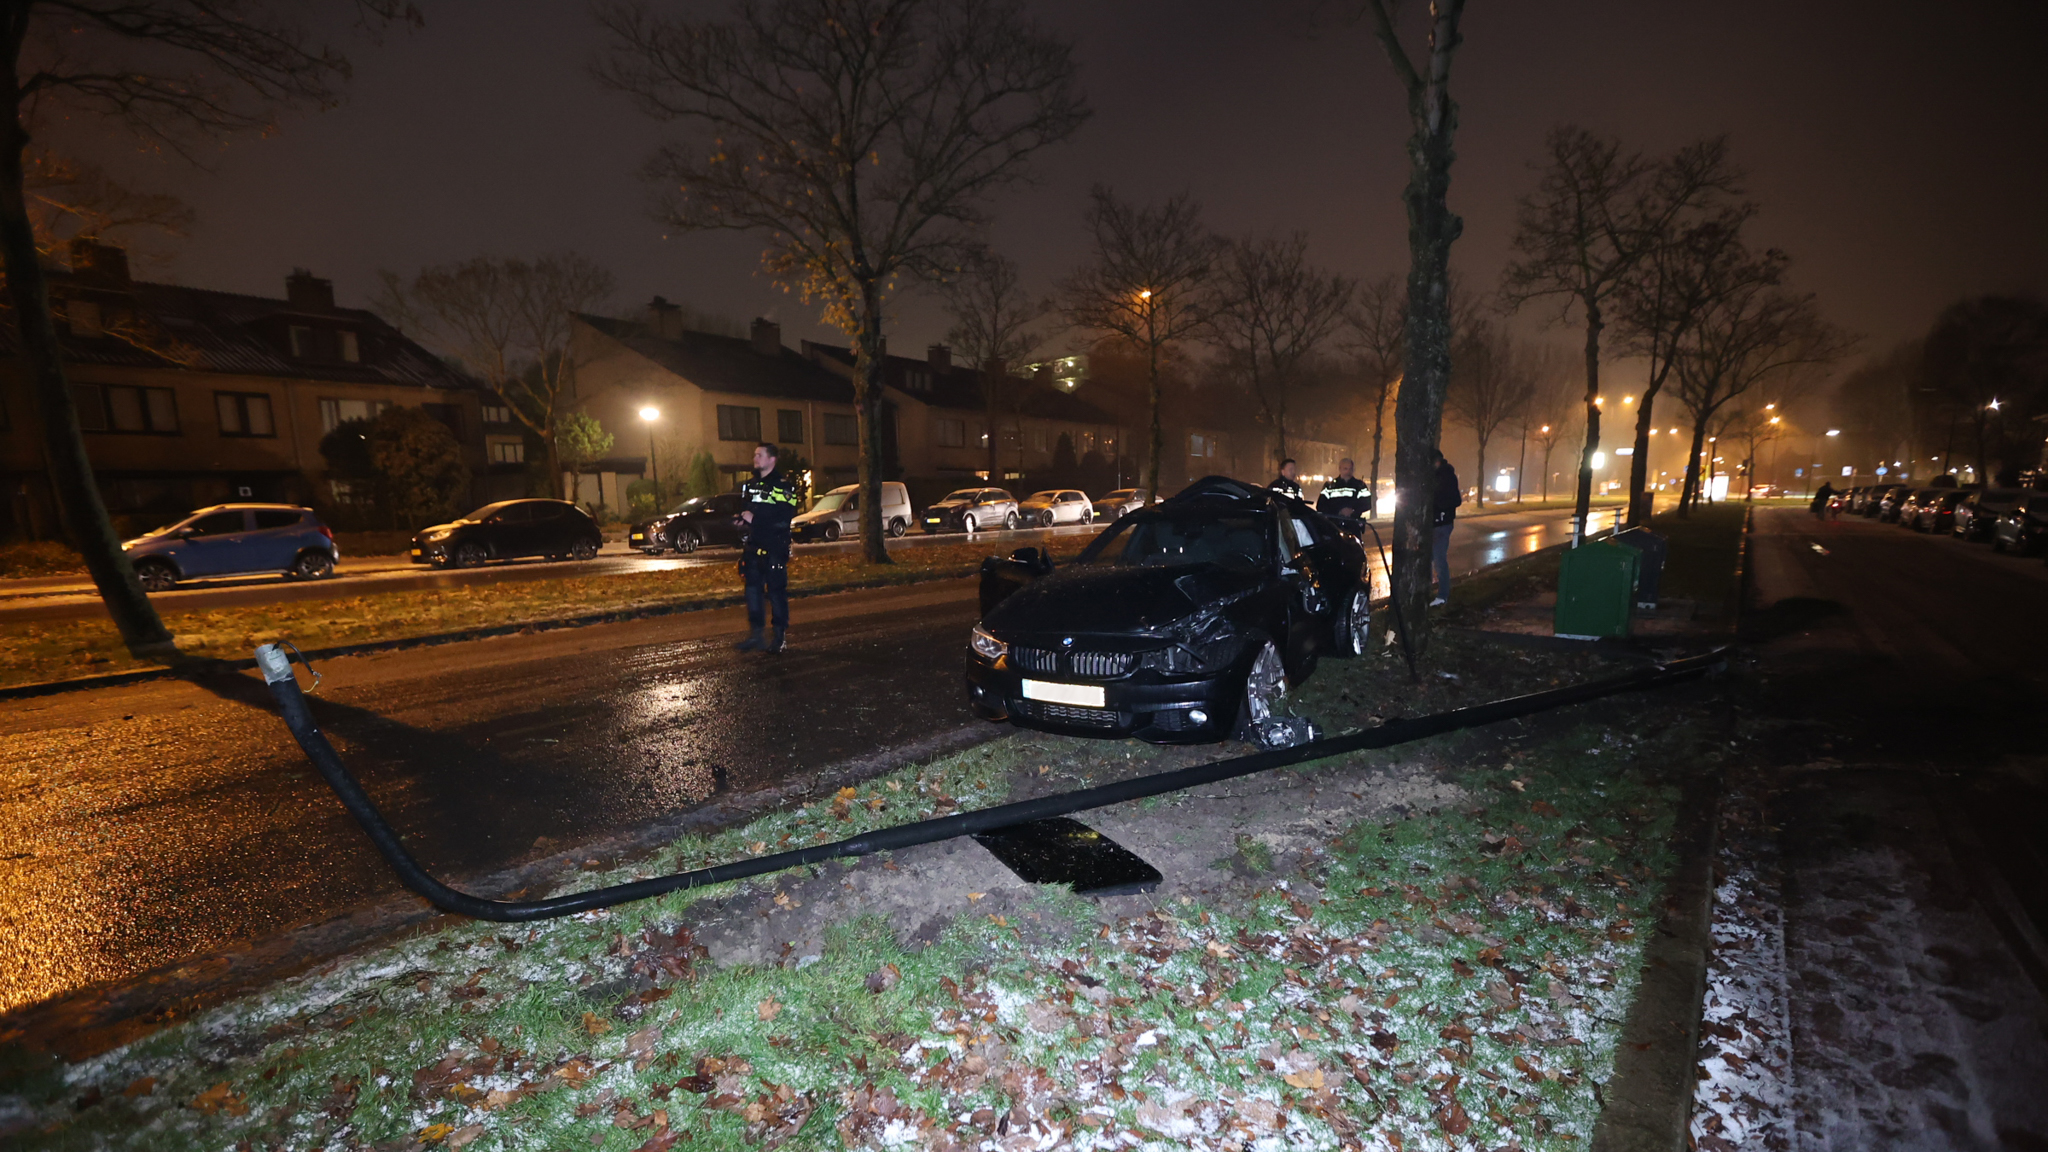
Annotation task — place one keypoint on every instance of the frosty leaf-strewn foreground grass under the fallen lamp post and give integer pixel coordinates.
(1439, 973)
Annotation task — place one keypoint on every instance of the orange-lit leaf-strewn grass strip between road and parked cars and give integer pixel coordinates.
(40, 653)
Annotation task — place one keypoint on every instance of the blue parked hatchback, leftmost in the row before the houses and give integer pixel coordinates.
(237, 540)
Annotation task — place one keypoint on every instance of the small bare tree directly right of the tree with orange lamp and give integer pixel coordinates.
(1273, 313)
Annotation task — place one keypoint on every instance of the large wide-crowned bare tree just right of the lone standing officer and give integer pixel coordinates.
(859, 136)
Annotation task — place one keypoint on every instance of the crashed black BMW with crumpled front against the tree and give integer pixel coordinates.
(1183, 624)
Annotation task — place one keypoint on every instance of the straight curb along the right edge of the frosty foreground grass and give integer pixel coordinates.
(1648, 1104)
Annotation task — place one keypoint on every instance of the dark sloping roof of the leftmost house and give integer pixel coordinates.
(175, 327)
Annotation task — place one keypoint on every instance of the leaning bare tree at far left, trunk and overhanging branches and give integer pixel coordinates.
(175, 73)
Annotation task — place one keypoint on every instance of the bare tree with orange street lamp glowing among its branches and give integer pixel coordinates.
(1148, 286)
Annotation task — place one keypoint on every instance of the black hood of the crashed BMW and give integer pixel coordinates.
(1115, 602)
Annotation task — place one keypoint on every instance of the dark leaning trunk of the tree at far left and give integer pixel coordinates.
(65, 446)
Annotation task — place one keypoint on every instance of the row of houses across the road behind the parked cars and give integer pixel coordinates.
(191, 397)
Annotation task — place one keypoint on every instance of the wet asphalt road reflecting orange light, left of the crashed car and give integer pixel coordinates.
(159, 823)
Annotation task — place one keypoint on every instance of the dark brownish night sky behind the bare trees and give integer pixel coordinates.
(1897, 147)
